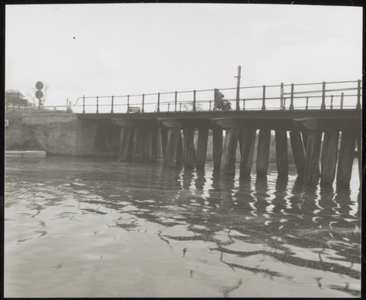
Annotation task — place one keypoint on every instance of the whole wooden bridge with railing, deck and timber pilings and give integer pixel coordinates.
(316, 116)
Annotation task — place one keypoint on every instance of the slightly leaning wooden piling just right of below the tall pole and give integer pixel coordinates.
(247, 141)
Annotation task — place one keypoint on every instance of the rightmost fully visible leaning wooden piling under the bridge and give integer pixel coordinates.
(346, 156)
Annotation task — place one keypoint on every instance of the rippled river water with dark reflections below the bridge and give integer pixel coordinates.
(78, 227)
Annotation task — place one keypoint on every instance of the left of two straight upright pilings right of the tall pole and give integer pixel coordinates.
(264, 140)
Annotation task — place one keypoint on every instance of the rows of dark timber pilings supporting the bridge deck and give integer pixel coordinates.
(315, 145)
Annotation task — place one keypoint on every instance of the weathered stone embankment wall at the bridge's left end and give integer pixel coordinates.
(59, 133)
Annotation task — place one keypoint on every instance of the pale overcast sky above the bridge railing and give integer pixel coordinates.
(120, 49)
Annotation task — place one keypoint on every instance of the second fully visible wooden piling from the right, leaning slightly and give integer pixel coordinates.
(329, 157)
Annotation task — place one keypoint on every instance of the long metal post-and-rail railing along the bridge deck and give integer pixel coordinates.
(323, 95)
